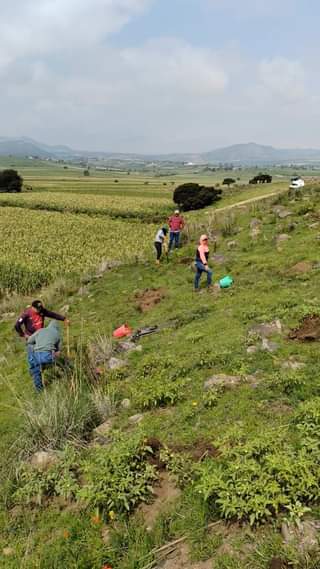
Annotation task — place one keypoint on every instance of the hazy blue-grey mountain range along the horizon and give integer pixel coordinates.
(247, 154)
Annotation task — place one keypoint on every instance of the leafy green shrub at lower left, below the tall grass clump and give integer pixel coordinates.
(114, 479)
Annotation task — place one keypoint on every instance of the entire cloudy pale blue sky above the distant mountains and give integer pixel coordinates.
(160, 76)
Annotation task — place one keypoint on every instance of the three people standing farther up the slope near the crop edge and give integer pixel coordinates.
(176, 224)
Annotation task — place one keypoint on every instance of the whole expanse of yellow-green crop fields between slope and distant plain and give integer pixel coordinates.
(68, 224)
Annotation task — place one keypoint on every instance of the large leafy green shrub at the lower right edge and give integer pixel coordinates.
(254, 482)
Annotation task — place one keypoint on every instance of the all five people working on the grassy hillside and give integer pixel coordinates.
(44, 344)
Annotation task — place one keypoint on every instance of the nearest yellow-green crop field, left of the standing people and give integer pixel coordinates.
(37, 247)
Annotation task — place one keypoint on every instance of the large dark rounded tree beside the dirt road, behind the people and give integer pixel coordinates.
(193, 196)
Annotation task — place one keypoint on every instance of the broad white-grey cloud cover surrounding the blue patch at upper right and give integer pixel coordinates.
(62, 80)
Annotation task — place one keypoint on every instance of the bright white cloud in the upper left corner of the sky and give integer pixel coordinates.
(38, 27)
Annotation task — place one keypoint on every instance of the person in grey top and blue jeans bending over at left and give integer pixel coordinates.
(43, 348)
